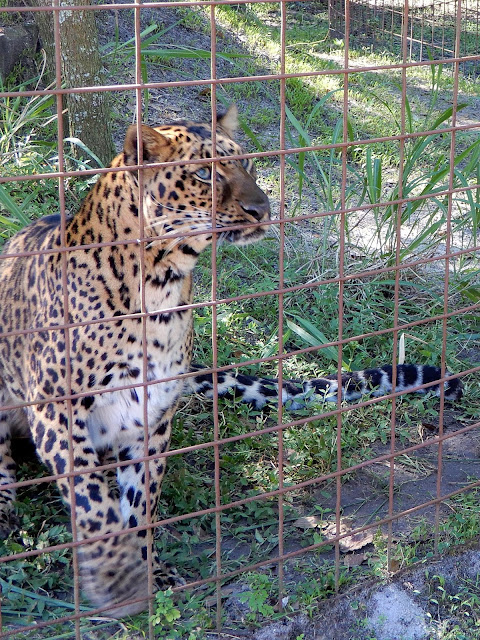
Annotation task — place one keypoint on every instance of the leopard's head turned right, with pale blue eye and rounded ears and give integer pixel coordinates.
(179, 199)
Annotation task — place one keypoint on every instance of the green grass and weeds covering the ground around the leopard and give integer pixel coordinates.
(250, 329)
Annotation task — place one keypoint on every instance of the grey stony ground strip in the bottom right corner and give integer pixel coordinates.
(400, 609)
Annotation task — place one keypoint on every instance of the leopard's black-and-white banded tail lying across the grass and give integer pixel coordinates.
(296, 393)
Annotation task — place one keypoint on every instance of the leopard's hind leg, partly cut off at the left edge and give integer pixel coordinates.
(12, 421)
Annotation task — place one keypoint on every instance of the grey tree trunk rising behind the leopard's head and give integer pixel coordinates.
(88, 113)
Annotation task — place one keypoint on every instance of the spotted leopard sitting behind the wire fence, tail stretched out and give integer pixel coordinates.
(96, 341)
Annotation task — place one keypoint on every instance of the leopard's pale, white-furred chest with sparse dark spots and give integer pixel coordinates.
(145, 355)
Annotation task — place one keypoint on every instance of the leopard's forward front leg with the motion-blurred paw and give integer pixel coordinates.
(113, 570)
